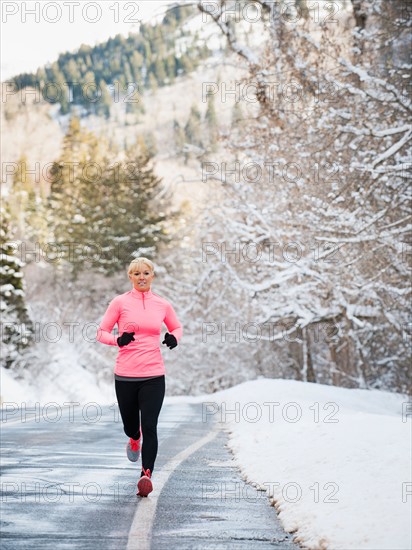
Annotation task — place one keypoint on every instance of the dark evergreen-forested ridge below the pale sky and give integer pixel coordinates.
(92, 77)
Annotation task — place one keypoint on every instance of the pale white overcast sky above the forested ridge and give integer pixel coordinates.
(29, 40)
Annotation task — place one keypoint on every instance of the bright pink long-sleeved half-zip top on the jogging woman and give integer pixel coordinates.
(142, 313)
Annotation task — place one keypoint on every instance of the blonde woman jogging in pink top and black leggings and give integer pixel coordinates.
(139, 373)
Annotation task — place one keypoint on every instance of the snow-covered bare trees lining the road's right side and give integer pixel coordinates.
(328, 200)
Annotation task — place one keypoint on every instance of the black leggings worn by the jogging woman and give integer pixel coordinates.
(145, 396)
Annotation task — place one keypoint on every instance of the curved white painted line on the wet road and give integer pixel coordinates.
(141, 528)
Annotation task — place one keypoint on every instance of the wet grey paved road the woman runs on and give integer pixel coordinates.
(67, 484)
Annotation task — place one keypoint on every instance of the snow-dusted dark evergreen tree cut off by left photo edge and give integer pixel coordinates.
(16, 326)
